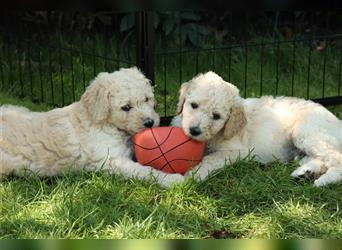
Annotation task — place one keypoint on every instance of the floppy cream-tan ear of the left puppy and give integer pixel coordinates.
(96, 100)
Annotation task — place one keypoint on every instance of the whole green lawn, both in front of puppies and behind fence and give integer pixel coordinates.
(244, 200)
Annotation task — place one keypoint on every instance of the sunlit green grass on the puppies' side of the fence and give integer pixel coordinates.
(244, 200)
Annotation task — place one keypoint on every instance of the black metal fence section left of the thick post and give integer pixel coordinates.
(52, 63)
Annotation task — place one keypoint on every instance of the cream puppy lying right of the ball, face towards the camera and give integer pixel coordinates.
(211, 110)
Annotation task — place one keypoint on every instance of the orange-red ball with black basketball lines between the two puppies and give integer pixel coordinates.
(167, 149)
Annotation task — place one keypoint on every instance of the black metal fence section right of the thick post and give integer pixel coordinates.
(286, 56)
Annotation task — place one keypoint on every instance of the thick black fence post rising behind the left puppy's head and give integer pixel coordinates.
(145, 42)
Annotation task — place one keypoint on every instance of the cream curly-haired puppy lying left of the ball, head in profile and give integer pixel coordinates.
(88, 135)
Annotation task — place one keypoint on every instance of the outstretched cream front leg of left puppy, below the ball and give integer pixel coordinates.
(131, 169)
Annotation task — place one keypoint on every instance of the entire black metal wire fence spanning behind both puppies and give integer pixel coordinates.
(272, 53)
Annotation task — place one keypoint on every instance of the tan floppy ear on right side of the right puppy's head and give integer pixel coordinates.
(236, 121)
